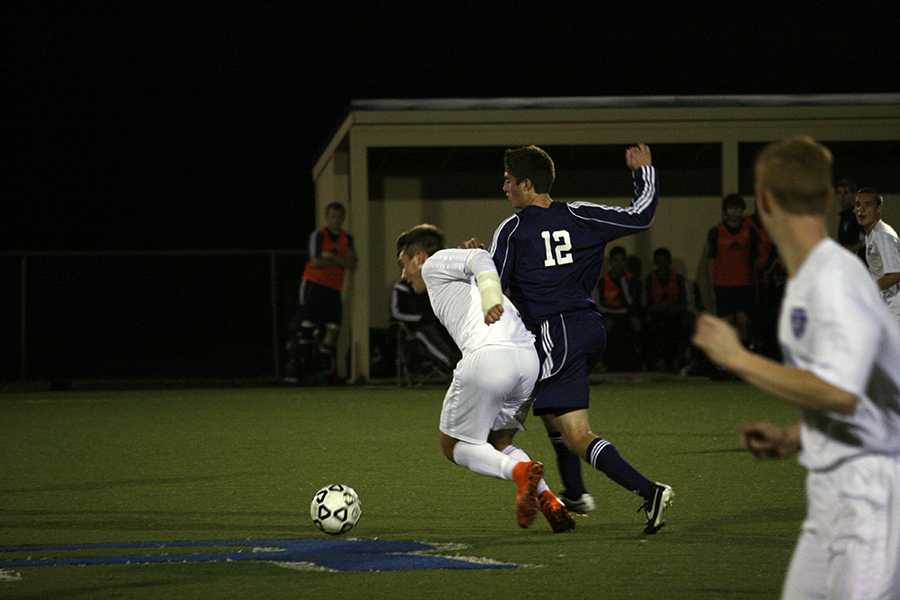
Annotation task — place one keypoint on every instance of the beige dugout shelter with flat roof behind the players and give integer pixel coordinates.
(397, 163)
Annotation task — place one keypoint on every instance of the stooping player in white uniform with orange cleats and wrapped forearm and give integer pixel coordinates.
(489, 396)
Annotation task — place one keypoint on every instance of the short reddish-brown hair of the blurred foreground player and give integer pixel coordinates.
(797, 172)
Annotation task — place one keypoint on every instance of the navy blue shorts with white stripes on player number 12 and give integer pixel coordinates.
(568, 345)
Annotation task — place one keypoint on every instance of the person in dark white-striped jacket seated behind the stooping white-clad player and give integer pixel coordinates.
(429, 336)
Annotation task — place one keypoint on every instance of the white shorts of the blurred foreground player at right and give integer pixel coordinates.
(849, 546)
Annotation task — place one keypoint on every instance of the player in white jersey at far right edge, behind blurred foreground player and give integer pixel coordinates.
(882, 247)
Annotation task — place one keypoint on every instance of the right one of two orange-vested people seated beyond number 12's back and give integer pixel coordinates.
(667, 315)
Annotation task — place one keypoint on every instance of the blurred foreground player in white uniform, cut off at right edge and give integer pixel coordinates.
(841, 350)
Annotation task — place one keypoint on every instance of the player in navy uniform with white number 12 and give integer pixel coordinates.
(549, 256)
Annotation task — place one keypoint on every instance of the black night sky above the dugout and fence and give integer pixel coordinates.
(164, 128)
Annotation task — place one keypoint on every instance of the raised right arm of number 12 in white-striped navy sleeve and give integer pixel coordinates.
(628, 219)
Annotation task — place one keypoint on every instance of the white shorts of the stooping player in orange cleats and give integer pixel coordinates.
(490, 391)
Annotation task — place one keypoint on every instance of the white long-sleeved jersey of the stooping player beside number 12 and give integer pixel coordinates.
(450, 280)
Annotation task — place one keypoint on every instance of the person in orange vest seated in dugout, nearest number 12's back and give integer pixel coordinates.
(617, 294)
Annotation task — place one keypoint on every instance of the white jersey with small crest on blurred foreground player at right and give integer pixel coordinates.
(834, 324)
